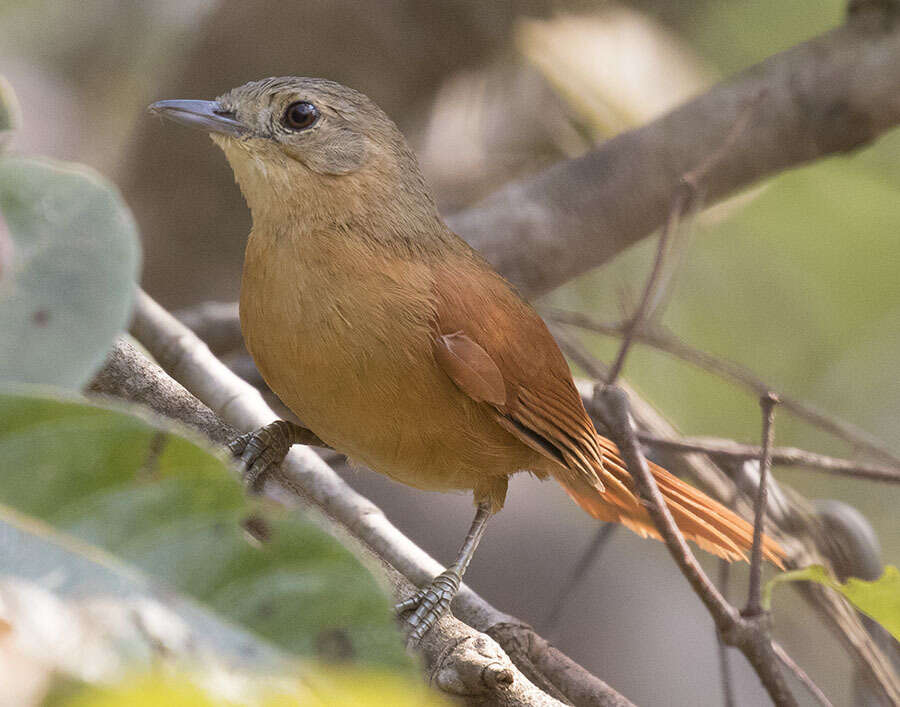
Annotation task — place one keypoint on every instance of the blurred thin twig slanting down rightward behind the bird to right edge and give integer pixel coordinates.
(663, 340)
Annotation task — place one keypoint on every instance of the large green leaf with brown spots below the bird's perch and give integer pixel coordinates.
(170, 507)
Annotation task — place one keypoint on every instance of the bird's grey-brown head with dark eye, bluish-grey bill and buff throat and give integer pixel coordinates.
(308, 145)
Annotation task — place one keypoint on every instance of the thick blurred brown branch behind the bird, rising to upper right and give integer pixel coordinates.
(829, 95)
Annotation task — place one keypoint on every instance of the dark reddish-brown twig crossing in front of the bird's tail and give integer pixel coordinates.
(750, 635)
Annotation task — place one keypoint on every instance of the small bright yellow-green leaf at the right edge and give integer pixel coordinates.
(879, 600)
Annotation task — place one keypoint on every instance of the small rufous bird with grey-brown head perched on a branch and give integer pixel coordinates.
(395, 342)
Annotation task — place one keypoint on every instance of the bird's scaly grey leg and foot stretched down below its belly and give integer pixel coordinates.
(429, 603)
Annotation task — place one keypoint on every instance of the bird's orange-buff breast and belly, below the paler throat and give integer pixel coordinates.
(349, 351)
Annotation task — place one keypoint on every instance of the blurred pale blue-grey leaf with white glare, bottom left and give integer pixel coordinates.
(68, 587)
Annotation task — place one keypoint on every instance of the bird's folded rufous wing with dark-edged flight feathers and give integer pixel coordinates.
(496, 349)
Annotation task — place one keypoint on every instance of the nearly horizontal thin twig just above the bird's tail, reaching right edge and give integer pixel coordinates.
(783, 456)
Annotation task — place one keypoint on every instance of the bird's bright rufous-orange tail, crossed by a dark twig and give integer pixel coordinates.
(708, 523)
